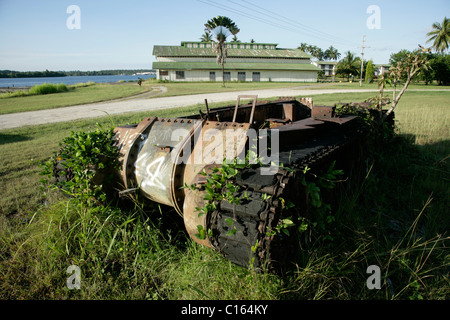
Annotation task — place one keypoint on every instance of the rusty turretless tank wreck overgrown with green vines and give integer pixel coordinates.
(176, 161)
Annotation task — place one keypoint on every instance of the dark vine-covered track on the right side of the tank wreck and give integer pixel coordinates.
(252, 244)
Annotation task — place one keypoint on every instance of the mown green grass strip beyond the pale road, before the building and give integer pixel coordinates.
(77, 95)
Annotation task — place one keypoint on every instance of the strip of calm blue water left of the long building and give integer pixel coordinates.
(29, 82)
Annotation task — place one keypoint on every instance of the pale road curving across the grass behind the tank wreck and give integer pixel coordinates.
(138, 103)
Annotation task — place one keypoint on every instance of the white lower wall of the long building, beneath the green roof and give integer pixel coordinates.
(264, 75)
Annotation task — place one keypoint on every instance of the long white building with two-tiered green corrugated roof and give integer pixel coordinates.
(196, 61)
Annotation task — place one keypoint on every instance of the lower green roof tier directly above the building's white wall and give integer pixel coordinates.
(234, 66)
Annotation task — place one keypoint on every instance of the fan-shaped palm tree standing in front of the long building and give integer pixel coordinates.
(221, 27)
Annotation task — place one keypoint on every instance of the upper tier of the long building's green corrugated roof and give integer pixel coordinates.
(179, 51)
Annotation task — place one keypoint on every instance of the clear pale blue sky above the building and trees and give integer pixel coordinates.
(34, 34)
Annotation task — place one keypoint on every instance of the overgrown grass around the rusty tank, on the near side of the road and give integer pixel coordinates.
(397, 219)
